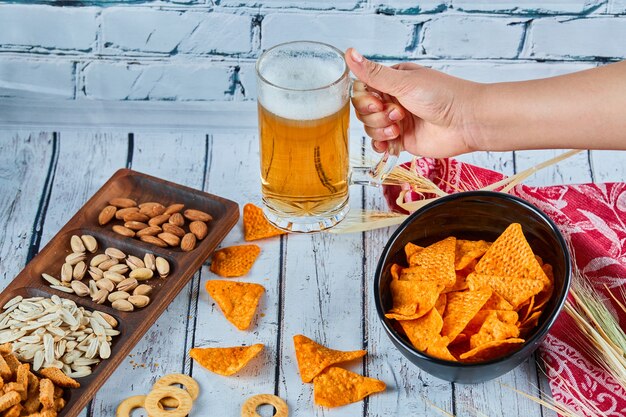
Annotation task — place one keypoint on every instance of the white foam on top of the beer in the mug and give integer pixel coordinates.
(302, 73)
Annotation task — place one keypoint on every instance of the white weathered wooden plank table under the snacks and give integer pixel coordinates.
(318, 285)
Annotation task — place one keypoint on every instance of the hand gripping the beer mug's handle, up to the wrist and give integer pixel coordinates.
(426, 112)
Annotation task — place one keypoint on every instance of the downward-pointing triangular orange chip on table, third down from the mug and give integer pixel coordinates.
(238, 300)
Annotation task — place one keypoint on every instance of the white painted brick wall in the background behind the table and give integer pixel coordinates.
(204, 50)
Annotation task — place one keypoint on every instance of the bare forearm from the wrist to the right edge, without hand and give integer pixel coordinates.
(582, 110)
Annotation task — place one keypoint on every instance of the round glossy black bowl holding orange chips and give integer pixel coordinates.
(475, 215)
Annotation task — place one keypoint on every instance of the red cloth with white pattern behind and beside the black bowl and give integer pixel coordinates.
(592, 218)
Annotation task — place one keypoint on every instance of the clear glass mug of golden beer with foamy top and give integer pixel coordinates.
(304, 114)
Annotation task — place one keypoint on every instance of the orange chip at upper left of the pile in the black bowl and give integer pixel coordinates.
(438, 258)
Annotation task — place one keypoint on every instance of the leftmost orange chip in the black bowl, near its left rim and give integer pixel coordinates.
(412, 299)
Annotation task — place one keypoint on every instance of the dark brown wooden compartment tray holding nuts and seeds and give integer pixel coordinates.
(132, 325)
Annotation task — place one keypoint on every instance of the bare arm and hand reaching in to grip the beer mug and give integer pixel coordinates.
(434, 114)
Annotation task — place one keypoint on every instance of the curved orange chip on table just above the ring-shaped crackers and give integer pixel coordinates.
(225, 361)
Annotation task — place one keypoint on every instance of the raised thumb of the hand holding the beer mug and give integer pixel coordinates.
(380, 77)
